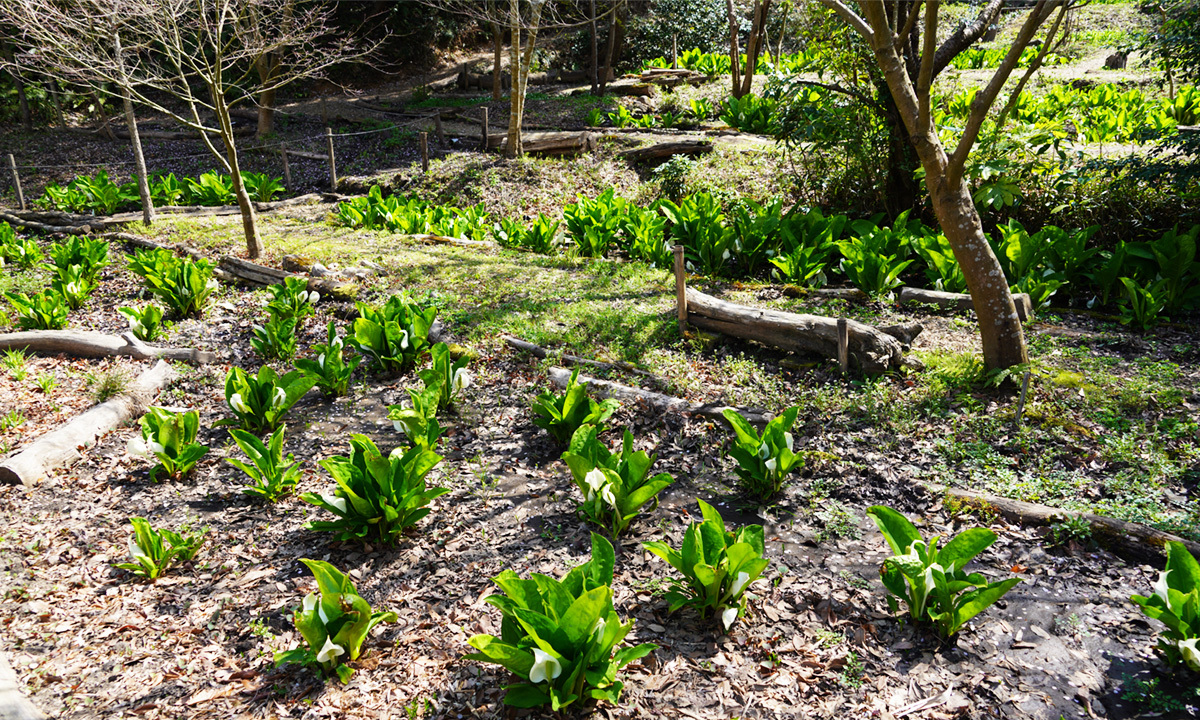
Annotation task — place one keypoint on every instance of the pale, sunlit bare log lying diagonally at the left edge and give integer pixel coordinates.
(61, 448)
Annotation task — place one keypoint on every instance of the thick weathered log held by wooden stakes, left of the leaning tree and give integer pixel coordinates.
(871, 350)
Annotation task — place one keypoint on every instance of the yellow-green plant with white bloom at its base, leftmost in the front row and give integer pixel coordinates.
(334, 622)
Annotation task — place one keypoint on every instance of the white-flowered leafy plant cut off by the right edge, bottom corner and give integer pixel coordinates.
(1177, 604)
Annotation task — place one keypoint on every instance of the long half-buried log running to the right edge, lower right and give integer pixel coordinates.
(1127, 539)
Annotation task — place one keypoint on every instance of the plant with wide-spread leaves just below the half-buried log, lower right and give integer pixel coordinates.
(931, 581)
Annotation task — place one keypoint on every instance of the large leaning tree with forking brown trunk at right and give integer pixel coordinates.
(904, 41)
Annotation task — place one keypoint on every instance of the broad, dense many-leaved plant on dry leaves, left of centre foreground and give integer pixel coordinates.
(377, 499)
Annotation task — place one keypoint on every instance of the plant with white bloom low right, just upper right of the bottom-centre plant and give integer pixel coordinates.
(718, 567)
